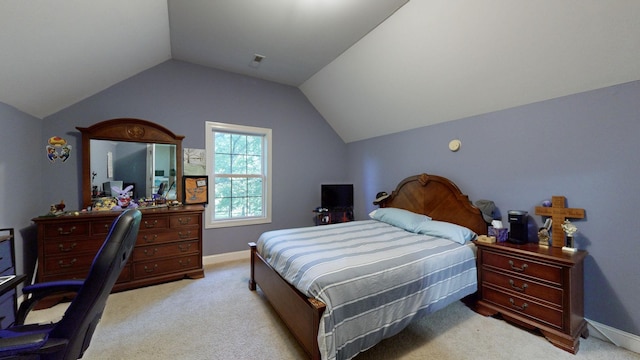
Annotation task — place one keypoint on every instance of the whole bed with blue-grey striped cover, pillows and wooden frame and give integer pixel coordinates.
(322, 311)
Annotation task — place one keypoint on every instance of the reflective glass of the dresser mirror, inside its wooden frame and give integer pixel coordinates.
(150, 168)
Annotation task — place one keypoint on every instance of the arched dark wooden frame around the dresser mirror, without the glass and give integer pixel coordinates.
(130, 130)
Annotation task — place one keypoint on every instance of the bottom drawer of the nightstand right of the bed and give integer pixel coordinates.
(515, 304)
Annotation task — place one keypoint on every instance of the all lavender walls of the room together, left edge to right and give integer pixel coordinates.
(581, 146)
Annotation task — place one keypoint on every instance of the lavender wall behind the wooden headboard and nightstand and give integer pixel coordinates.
(584, 147)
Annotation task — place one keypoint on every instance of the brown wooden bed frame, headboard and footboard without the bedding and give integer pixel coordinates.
(431, 195)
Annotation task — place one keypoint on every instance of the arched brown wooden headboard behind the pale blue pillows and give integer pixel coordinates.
(438, 198)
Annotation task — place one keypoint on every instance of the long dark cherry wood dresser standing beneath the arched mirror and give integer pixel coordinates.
(169, 246)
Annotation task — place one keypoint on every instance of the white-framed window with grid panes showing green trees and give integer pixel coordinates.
(238, 164)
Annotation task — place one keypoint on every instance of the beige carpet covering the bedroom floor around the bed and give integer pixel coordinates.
(219, 318)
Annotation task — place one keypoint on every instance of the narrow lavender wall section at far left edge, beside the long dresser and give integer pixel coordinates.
(21, 183)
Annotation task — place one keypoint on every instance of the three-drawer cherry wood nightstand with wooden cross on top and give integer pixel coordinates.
(535, 287)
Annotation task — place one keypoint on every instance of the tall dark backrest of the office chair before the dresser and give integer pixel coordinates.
(83, 314)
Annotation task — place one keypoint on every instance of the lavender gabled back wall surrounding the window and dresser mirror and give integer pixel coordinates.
(181, 97)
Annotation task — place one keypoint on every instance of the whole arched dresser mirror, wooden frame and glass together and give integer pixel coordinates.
(123, 152)
